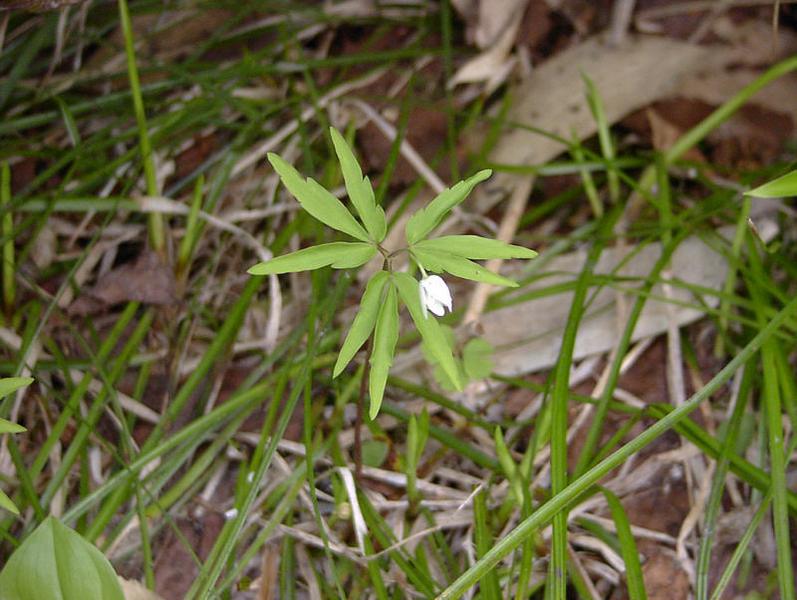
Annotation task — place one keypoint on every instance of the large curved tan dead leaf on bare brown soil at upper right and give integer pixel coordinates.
(552, 98)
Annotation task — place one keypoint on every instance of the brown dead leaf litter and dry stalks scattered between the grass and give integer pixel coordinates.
(641, 75)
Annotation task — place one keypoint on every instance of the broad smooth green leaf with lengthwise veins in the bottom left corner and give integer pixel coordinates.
(55, 562)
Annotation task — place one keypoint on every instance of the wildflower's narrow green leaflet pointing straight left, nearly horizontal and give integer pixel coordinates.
(340, 255)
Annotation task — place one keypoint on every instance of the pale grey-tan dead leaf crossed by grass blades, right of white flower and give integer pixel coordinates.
(527, 336)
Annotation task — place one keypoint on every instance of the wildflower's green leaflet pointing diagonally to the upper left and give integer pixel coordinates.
(316, 200)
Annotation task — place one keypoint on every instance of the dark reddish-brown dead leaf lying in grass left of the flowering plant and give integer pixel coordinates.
(145, 280)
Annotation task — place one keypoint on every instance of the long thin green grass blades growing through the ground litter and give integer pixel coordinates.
(469, 507)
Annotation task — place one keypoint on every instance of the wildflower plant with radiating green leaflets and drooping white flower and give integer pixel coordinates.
(378, 313)
